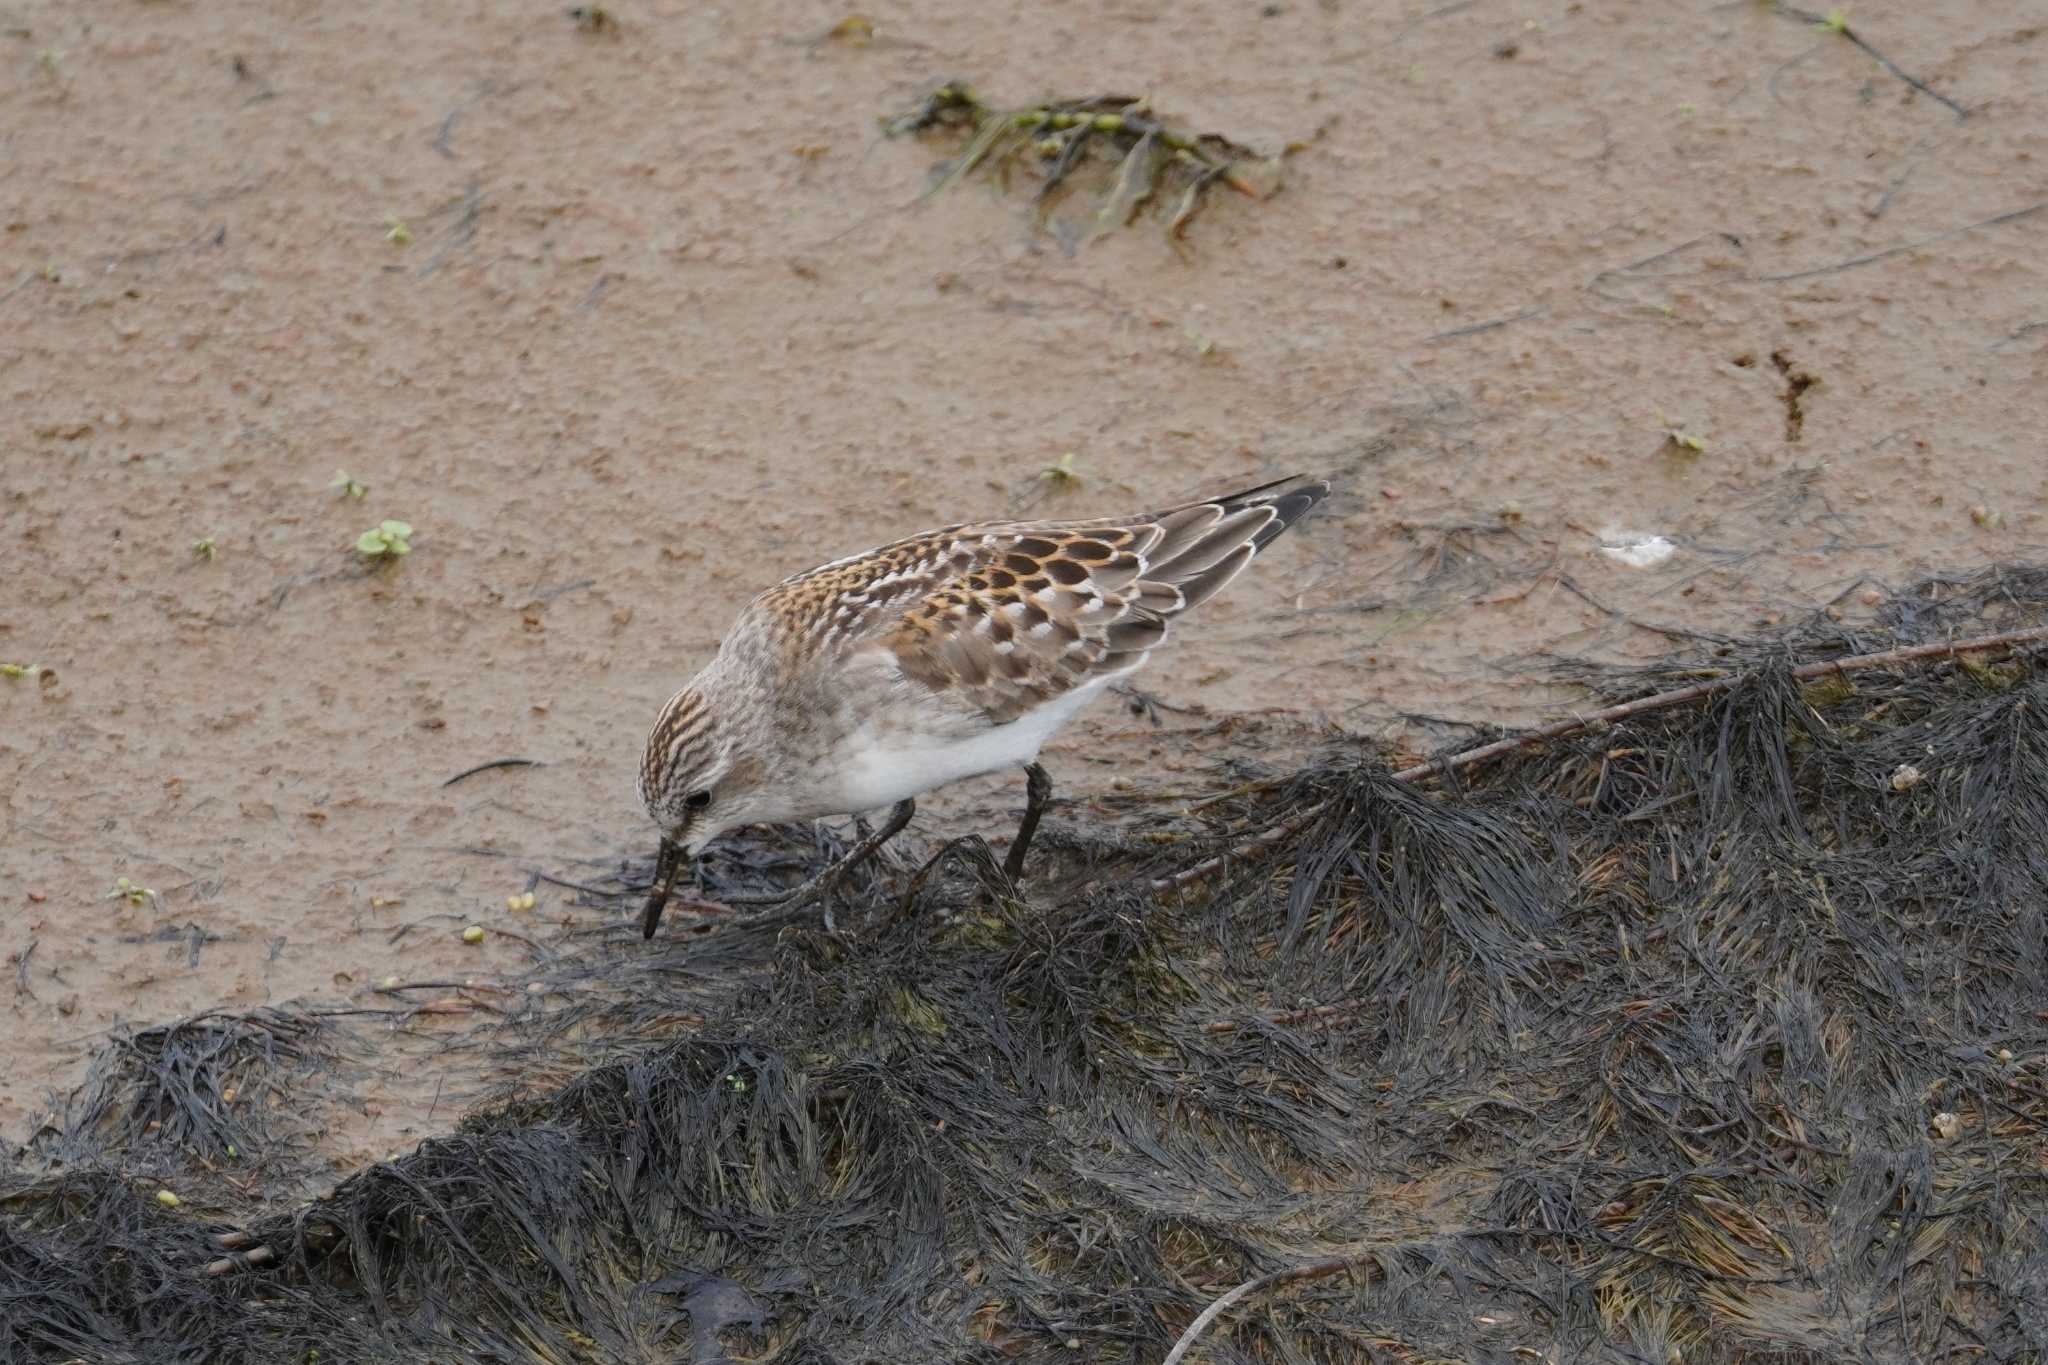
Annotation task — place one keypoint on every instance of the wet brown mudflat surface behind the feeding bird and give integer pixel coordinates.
(632, 322)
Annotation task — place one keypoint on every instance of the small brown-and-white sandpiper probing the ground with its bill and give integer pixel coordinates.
(951, 654)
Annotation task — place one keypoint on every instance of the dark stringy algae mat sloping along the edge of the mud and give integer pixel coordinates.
(1715, 1030)
